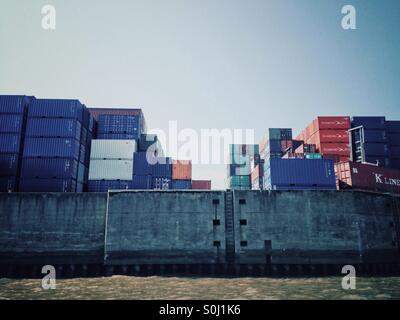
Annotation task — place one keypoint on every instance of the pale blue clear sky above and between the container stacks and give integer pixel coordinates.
(208, 64)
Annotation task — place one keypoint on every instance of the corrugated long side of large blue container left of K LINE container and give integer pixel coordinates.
(302, 172)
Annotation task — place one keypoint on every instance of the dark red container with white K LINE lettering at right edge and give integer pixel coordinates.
(367, 177)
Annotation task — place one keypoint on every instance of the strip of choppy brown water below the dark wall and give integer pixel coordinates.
(123, 287)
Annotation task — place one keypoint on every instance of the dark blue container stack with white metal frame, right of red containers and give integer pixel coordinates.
(369, 141)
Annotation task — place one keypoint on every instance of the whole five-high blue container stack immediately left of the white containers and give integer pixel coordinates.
(56, 143)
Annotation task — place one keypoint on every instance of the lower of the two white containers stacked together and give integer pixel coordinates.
(111, 170)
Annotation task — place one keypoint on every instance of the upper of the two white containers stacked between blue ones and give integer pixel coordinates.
(113, 149)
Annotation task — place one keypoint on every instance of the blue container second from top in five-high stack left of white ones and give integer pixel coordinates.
(53, 127)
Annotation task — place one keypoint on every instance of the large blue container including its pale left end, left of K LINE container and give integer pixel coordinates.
(299, 174)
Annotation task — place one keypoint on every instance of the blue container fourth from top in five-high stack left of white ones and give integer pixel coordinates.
(49, 168)
